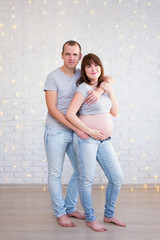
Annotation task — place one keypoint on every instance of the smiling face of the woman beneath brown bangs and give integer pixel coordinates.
(93, 71)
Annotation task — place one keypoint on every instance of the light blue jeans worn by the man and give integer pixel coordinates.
(57, 143)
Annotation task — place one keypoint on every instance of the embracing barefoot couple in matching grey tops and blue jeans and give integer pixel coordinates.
(80, 104)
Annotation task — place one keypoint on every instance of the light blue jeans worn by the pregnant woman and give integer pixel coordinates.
(87, 153)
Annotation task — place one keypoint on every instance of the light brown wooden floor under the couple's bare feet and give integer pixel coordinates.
(26, 214)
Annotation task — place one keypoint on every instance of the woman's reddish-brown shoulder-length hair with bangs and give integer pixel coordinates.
(86, 61)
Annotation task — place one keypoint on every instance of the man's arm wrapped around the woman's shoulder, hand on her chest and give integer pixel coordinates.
(94, 95)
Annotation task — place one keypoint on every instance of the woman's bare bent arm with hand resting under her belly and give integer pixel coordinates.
(73, 108)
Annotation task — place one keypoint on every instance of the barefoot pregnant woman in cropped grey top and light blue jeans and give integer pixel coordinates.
(96, 121)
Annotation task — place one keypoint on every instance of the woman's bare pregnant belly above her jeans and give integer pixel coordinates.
(102, 122)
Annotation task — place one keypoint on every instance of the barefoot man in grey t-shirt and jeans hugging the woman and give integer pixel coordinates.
(59, 90)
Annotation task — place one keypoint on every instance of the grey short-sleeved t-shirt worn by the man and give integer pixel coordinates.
(66, 88)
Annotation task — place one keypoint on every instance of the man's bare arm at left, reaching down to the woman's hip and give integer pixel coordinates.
(51, 102)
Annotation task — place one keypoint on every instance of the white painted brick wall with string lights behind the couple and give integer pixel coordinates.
(125, 34)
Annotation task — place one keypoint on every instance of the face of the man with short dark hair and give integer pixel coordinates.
(71, 56)
